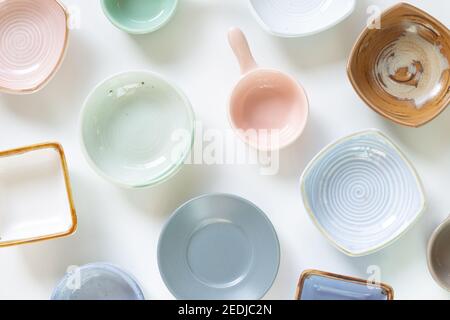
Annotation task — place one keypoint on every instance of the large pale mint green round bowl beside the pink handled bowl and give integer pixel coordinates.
(137, 129)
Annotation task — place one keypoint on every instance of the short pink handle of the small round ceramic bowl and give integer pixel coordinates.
(241, 49)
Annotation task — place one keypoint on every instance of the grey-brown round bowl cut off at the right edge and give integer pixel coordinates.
(439, 255)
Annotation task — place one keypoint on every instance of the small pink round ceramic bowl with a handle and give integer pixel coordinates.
(268, 109)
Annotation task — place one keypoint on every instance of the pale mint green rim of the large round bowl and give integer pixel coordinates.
(167, 174)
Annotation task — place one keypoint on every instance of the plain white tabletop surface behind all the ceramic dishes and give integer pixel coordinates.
(123, 226)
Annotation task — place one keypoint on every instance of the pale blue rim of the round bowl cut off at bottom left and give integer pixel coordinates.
(129, 278)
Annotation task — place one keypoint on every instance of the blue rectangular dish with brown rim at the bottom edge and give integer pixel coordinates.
(318, 285)
